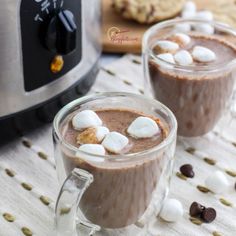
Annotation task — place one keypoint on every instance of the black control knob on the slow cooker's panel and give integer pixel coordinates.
(61, 33)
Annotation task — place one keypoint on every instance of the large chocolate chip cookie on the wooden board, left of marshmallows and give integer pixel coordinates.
(148, 11)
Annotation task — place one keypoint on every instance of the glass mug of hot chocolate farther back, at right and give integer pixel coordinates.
(197, 95)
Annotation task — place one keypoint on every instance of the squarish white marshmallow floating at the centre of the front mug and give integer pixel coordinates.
(115, 142)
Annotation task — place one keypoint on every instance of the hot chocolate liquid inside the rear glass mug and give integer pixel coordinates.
(196, 98)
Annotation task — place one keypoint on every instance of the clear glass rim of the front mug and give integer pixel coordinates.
(119, 157)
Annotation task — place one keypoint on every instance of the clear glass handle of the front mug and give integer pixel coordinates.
(67, 206)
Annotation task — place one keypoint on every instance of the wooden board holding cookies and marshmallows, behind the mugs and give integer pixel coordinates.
(125, 21)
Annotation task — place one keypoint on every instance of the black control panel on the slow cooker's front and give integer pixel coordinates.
(49, 28)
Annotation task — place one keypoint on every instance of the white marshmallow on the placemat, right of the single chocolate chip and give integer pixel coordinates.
(217, 182)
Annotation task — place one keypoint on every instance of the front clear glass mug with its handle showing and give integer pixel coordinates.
(112, 195)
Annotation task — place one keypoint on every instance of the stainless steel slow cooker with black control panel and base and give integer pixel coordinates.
(49, 51)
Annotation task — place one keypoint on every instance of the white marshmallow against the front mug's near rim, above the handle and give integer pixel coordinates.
(93, 149)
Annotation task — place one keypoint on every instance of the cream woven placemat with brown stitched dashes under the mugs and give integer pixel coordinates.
(29, 185)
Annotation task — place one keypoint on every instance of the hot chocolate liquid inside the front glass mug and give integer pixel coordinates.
(121, 191)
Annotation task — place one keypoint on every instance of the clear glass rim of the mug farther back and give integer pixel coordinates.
(189, 68)
